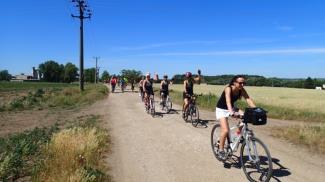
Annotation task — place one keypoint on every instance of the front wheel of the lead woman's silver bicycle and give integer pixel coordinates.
(256, 160)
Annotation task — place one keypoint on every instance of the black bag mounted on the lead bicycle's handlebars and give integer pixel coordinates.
(256, 116)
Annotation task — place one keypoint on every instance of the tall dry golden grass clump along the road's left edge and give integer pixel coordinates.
(73, 154)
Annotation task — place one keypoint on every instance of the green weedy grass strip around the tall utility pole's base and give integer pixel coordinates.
(46, 95)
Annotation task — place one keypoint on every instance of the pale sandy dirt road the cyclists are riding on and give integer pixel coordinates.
(165, 148)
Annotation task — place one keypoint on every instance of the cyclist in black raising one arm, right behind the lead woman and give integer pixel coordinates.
(188, 89)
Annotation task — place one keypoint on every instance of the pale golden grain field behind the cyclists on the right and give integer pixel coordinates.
(301, 99)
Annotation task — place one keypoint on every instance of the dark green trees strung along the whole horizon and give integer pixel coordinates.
(52, 71)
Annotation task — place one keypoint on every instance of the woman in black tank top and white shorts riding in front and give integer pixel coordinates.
(225, 107)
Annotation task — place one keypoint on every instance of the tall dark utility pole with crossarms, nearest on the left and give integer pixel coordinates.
(83, 9)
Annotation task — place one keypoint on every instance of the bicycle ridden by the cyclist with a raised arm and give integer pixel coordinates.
(192, 111)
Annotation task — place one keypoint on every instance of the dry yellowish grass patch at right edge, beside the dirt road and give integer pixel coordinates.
(311, 136)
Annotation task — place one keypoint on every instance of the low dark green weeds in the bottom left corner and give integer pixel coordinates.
(19, 152)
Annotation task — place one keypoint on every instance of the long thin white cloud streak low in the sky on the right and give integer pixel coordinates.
(242, 52)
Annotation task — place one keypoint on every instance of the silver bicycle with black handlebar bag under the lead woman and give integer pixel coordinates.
(254, 154)
